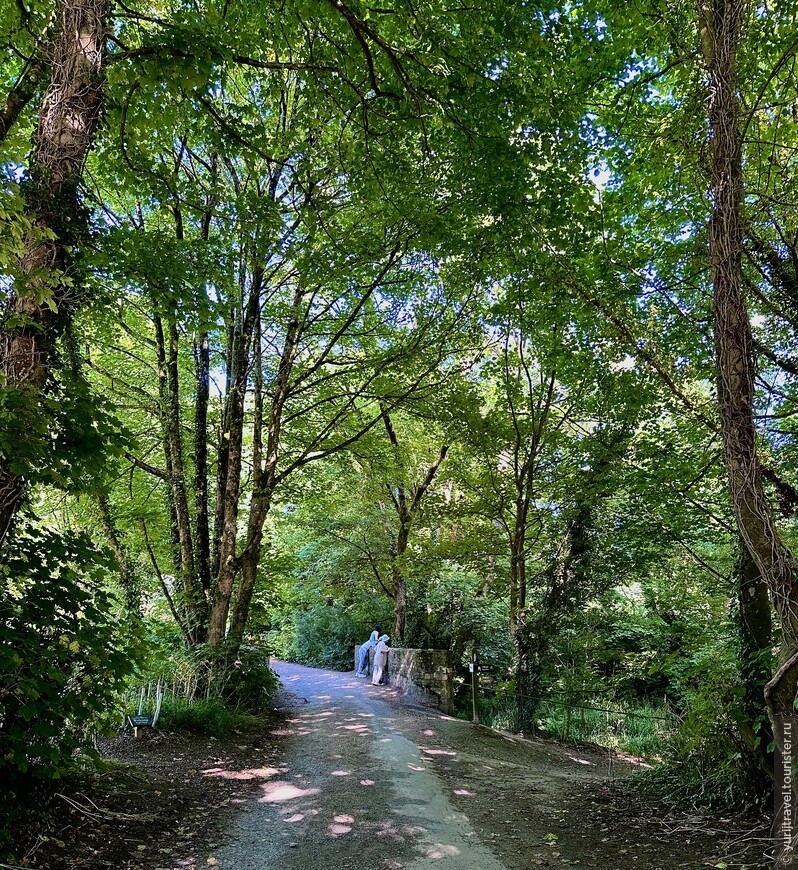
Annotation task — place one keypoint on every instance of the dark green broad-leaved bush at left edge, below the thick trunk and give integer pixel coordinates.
(64, 654)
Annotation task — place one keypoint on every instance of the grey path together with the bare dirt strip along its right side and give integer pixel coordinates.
(362, 780)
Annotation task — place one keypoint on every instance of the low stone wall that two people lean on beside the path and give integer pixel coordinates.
(425, 674)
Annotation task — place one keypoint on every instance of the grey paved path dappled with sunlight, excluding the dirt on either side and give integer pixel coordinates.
(353, 774)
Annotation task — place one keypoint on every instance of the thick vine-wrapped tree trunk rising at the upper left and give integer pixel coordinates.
(67, 121)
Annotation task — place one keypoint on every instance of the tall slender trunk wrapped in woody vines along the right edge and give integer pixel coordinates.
(720, 23)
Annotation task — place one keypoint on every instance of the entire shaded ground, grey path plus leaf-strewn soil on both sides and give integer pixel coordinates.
(350, 776)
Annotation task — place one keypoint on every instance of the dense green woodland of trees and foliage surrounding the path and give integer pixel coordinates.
(476, 320)
